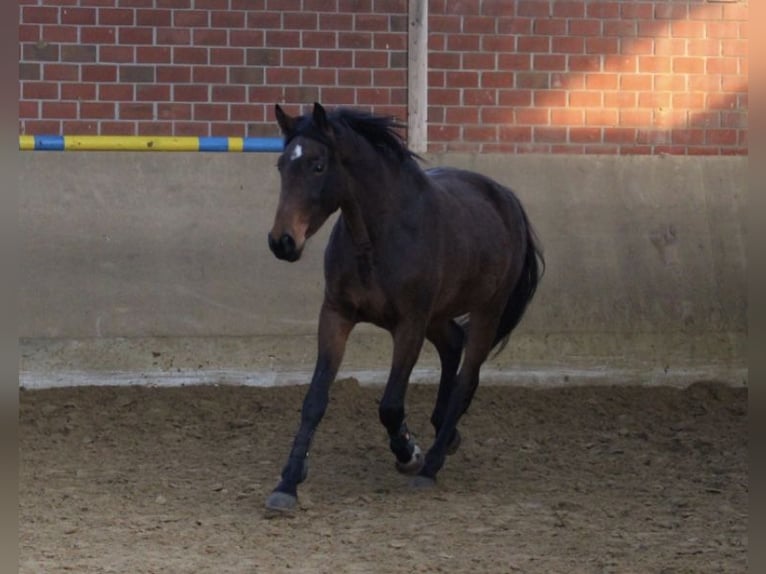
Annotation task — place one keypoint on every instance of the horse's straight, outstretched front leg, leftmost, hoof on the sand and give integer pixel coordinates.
(334, 329)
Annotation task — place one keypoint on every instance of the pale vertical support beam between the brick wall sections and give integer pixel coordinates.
(417, 76)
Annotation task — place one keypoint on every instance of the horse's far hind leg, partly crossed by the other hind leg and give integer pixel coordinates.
(448, 338)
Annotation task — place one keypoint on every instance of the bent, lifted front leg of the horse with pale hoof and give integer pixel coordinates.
(408, 341)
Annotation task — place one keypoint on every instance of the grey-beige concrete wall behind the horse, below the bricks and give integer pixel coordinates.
(154, 267)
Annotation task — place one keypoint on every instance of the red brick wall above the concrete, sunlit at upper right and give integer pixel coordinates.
(554, 76)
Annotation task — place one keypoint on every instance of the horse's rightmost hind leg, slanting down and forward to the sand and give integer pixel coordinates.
(477, 348)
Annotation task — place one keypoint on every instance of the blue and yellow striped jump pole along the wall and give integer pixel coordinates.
(149, 143)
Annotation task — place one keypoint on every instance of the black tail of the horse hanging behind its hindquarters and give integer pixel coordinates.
(526, 285)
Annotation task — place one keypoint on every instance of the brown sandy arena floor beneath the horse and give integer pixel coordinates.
(583, 479)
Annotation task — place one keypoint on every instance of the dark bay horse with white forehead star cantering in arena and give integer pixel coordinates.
(443, 254)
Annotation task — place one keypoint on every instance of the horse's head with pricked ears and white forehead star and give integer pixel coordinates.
(309, 188)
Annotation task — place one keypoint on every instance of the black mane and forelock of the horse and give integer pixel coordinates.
(379, 131)
